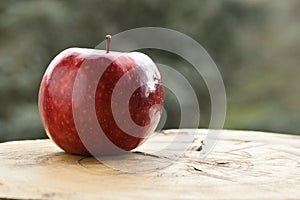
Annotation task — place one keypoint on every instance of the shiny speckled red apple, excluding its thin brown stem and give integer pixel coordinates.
(57, 102)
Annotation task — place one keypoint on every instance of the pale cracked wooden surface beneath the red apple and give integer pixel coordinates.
(243, 165)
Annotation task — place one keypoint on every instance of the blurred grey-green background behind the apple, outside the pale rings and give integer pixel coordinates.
(255, 44)
